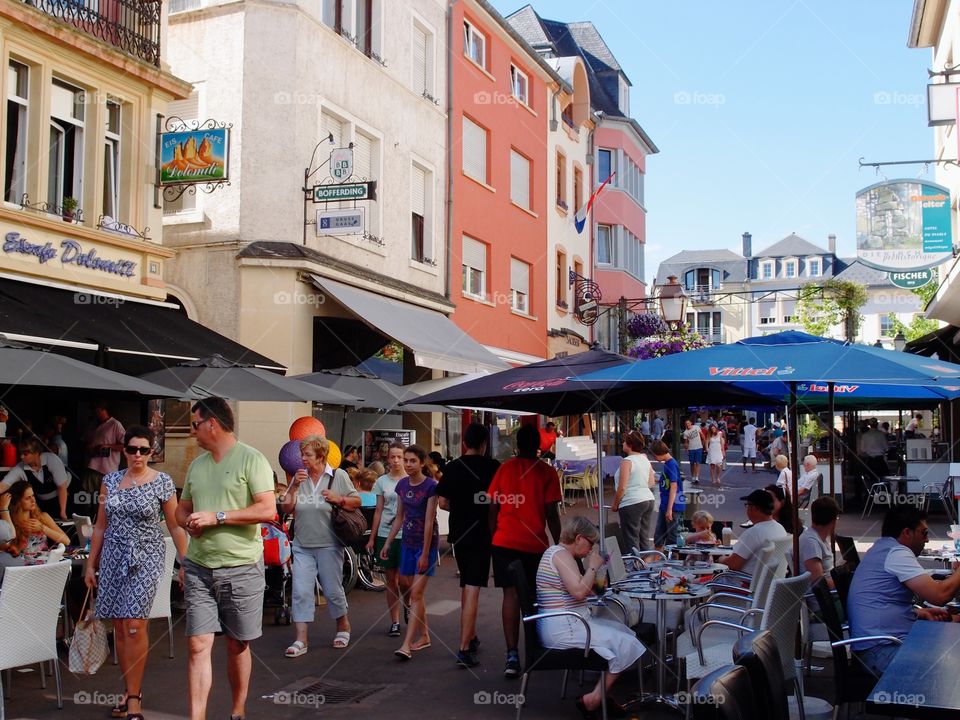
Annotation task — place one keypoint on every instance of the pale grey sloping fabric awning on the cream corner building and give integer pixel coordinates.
(434, 339)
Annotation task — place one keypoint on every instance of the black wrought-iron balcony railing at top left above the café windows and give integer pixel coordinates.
(132, 26)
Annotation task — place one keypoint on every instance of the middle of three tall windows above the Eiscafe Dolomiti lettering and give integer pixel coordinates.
(65, 172)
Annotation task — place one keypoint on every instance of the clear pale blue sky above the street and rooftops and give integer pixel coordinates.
(761, 110)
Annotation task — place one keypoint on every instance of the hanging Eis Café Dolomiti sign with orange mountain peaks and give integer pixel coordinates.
(195, 156)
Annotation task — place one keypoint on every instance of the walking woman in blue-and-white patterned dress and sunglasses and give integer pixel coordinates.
(128, 547)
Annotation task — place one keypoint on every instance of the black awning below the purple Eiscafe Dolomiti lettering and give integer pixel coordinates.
(130, 335)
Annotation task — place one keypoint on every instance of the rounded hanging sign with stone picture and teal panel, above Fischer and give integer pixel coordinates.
(904, 225)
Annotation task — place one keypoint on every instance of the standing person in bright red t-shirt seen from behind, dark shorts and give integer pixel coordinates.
(524, 499)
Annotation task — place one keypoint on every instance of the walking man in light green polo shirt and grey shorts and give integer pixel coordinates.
(227, 494)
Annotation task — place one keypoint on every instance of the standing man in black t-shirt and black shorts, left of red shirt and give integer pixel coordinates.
(463, 491)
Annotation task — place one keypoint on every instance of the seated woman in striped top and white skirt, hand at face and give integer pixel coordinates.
(560, 586)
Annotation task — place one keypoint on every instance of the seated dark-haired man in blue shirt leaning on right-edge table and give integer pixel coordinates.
(881, 600)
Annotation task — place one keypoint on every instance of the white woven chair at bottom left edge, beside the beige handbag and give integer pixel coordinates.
(29, 612)
